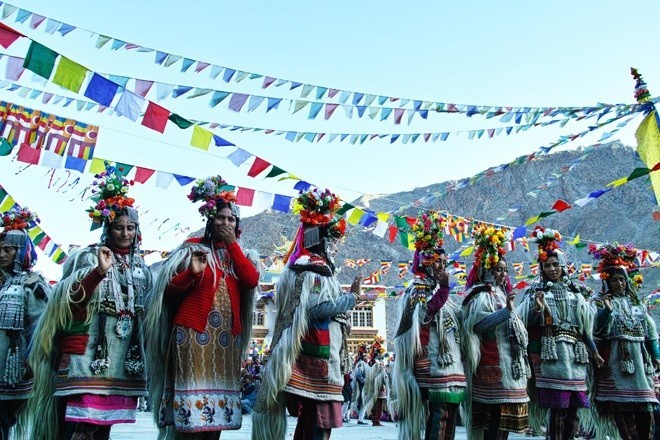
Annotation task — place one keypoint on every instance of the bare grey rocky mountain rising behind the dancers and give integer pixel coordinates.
(622, 215)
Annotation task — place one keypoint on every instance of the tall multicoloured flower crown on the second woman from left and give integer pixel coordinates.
(109, 192)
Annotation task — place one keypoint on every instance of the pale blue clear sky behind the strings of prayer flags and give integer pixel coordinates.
(516, 53)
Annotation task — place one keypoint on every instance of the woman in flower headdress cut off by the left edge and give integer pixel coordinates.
(23, 297)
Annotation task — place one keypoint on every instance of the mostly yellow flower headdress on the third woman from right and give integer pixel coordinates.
(488, 241)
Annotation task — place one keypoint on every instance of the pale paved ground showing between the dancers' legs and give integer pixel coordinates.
(144, 430)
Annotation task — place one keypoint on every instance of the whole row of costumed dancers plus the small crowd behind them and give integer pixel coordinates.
(76, 357)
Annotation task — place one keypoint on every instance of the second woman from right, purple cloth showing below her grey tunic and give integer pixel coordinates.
(560, 324)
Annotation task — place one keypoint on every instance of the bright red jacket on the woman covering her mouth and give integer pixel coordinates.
(200, 289)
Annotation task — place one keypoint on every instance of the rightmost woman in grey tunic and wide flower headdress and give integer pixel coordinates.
(627, 338)
